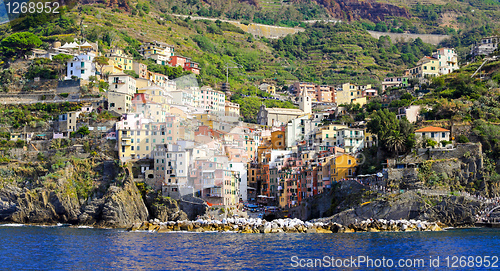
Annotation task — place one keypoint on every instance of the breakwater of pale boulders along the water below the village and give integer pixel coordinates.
(242, 225)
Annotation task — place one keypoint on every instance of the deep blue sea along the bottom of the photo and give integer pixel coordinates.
(65, 248)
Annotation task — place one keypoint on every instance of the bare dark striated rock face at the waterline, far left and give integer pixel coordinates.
(120, 207)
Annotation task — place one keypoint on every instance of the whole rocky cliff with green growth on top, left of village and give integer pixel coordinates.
(107, 201)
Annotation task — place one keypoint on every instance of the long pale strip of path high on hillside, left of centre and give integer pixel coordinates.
(261, 30)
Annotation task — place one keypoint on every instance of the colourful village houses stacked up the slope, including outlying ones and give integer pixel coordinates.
(188, 140)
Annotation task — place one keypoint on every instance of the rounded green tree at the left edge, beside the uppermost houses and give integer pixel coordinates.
(18, 44)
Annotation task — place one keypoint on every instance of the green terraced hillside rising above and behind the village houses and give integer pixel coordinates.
(323, 53)
